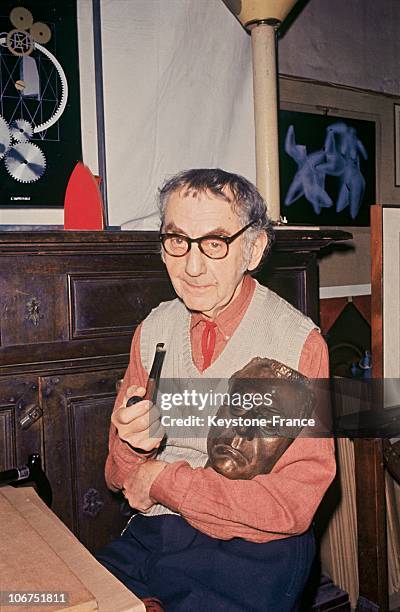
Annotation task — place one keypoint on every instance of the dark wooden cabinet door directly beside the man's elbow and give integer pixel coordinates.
(76, 417)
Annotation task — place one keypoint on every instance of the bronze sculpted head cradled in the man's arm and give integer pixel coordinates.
(244, 452)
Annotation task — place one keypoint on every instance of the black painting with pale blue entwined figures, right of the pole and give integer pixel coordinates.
(327, 167)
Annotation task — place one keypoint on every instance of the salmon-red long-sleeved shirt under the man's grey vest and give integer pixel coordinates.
(268, 507)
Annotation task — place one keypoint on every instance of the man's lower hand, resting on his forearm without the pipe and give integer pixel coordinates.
(136, 486)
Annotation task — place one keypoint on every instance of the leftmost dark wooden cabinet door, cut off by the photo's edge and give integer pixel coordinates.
(20, 420)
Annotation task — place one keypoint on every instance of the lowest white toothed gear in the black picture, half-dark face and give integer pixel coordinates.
(25, 162)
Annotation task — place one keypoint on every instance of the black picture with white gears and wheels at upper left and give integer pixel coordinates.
(40, 121)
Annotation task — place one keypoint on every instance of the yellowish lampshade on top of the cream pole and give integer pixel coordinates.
(250, 12)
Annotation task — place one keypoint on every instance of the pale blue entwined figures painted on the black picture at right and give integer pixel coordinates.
(339, 157)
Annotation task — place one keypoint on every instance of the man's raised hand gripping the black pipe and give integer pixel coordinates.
(133, 423)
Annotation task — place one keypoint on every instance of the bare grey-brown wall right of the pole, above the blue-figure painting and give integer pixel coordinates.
(350, 42)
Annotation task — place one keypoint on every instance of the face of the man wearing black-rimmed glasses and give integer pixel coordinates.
(206, 285)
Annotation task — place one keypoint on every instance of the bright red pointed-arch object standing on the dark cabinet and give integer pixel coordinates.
(83, 206)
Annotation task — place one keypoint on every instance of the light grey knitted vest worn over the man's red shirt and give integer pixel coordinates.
(270, 327)
